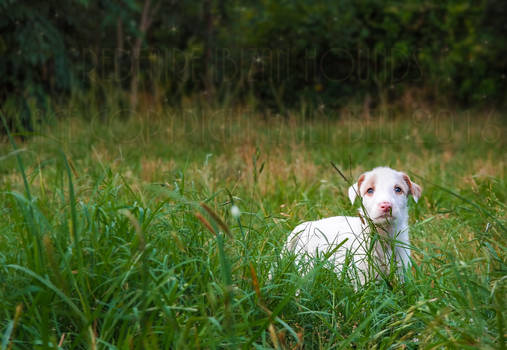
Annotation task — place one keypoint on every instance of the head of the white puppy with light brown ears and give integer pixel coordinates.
(384, 192)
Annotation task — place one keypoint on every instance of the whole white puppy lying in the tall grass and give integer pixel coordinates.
(384, 194)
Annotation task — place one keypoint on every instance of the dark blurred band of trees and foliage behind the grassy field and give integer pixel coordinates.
(272, 55)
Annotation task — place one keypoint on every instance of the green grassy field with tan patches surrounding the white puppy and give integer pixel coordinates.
(105, 242)
